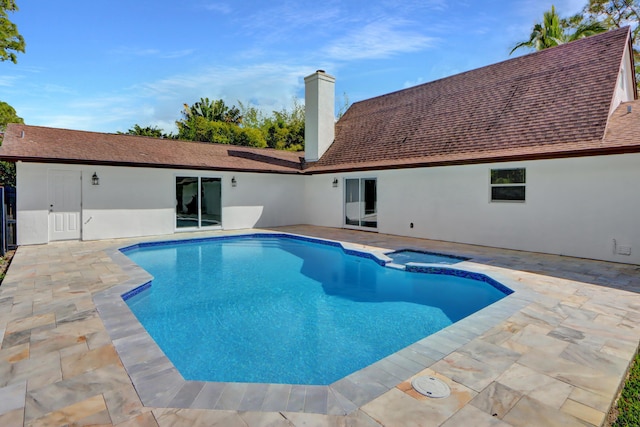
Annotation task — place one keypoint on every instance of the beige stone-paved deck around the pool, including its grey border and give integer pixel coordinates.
(553, 353)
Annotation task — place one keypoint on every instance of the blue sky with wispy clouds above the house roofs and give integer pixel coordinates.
(104, 66)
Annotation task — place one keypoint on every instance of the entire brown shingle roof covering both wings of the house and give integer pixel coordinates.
(548, 104)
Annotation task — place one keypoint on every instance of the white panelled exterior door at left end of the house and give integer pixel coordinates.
(64, 205)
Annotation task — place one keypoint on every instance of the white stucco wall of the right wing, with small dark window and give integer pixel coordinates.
(573, 206)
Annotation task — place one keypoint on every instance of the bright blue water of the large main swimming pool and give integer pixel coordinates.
(285, 310)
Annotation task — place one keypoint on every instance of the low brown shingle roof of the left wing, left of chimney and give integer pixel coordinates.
(72, 146)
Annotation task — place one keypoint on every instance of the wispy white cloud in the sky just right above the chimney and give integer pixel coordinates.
(380, 39)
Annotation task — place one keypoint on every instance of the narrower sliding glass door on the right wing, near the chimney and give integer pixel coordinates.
(360, 203)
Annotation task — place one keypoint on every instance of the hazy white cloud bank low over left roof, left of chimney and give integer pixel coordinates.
(268, 86)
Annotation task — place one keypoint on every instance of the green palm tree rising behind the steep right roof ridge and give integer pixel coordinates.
(553, 32)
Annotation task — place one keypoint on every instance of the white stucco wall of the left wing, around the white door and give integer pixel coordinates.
(133, 202)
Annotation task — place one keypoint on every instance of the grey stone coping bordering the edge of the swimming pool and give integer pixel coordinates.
(160, 384)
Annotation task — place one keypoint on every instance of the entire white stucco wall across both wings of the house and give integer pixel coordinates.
(585, 207)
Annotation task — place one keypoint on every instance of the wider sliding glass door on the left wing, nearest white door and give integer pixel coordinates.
(198, 202)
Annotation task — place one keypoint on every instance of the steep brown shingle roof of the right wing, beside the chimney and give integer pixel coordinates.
(542, 104)
